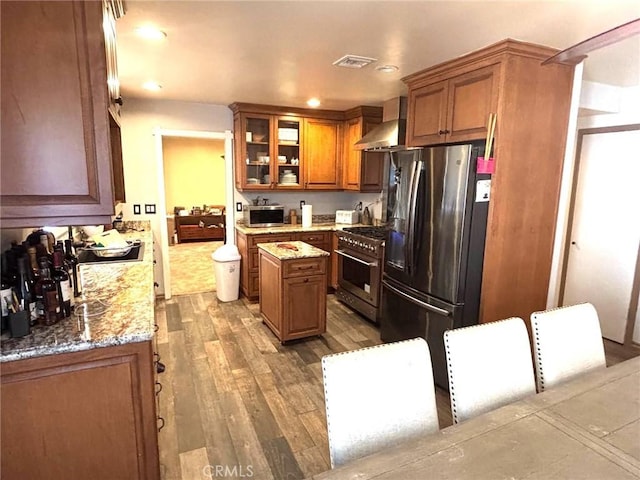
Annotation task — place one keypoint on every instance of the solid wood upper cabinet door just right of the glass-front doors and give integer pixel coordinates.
(322, 154)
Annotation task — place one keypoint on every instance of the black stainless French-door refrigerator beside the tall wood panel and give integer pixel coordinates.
(437, 215)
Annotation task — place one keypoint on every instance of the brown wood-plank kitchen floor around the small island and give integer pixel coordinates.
(238, 404)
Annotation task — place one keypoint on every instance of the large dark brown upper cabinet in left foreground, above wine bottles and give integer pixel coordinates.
(56, 144)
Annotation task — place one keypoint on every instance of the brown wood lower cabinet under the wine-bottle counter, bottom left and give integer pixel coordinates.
(87, 414)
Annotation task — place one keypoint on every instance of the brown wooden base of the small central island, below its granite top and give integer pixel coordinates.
(293, 299)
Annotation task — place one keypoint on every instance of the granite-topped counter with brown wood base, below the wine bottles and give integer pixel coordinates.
(78, 397)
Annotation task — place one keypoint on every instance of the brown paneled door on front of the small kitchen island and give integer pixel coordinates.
(305, 306)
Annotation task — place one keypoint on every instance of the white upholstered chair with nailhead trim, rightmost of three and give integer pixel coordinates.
(567, 342)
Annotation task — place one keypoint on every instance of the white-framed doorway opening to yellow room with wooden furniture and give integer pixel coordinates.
(194, 182)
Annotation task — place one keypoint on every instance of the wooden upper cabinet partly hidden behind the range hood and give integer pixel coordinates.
(362, 171)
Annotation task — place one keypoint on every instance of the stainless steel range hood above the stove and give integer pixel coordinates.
(390, 134)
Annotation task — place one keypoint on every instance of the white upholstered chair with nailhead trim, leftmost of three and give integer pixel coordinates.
(378, 396)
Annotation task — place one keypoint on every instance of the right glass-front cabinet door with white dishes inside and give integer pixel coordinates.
(287, 139)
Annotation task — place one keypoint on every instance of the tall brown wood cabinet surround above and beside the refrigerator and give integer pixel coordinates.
(451, 102)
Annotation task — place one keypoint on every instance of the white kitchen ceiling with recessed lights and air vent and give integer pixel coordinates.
(281, 53)
